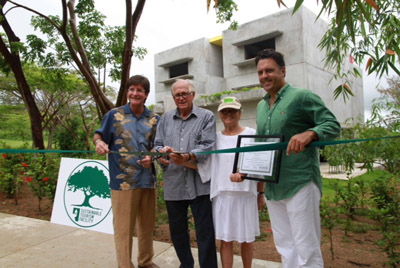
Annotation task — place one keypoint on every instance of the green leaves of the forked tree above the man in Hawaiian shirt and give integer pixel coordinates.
(103, 44)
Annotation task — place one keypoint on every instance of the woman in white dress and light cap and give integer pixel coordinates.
(235, 205)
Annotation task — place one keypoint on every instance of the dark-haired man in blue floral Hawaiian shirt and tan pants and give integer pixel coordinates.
(128, 128)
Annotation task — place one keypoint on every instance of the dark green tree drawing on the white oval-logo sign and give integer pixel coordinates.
(92, 182)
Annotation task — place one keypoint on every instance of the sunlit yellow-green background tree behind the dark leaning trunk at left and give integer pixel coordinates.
(57, 92)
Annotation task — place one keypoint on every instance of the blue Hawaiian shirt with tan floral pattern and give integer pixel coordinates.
(124, 132)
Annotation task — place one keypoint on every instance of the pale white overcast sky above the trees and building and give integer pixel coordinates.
(165, 24)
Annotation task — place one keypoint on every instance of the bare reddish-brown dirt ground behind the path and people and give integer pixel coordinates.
(355, 250)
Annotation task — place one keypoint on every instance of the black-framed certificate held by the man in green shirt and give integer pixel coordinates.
(262, 165)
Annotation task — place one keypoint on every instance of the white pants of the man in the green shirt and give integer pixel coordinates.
(296, 228)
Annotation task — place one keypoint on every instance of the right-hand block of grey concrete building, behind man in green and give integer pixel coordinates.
(297, 37)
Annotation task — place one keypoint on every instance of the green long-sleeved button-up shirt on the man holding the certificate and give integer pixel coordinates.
(295, 111)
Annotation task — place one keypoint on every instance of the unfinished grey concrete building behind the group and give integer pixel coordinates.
(227, 63)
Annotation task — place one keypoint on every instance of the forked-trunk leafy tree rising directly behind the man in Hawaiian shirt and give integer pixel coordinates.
(85, 44)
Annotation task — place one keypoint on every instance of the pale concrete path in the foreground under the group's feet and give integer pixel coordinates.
(27, 242)
